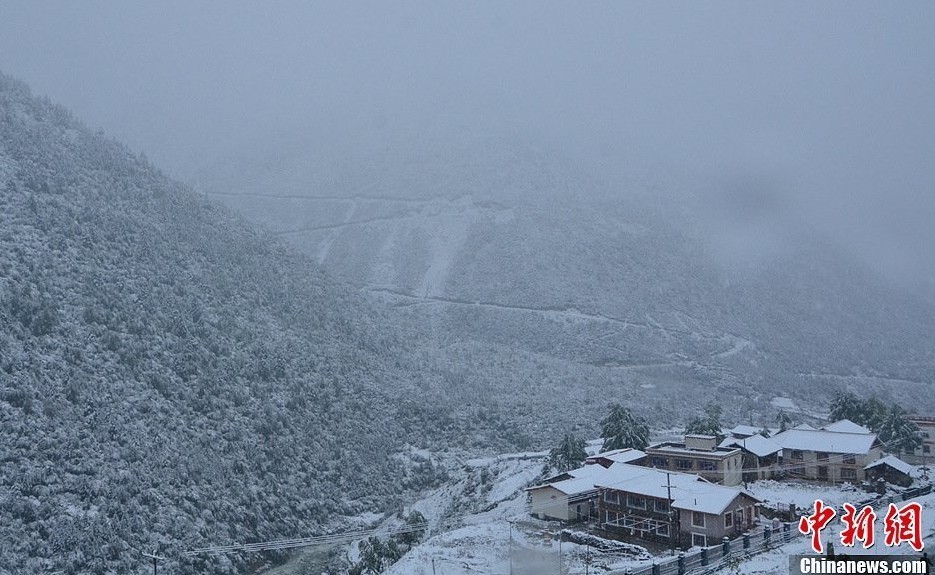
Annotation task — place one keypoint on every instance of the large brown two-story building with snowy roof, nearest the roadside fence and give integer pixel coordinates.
(677, 508)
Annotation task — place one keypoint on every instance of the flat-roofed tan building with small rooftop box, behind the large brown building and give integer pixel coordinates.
(698, 454)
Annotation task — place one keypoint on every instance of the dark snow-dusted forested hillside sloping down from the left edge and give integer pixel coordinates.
(170, 378)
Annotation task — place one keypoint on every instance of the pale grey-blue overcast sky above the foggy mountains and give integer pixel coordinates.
(828, 107)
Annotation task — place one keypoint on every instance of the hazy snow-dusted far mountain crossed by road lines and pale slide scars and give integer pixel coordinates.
(492, 241)
